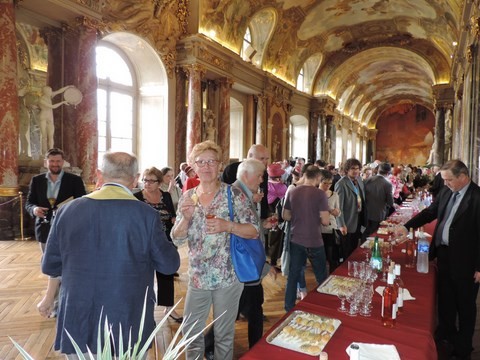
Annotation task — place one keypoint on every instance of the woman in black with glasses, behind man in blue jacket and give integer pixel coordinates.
(162, 202)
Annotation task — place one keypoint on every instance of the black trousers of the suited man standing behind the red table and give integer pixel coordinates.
(456, 298)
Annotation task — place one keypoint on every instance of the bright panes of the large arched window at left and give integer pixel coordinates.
(116, 101)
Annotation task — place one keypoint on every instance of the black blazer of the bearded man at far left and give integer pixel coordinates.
(71, 186)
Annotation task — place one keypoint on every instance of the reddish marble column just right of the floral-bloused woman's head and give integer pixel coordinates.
(223, 137)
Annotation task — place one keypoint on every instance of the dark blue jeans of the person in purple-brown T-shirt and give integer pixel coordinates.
(298, 256)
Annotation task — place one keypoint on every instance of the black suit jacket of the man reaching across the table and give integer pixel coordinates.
(464, 232)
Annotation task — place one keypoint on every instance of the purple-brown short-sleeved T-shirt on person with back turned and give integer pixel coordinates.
(305, 202)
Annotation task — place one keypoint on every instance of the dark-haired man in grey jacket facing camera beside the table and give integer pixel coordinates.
(351, 192)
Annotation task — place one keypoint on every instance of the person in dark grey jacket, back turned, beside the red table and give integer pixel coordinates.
(378, 198)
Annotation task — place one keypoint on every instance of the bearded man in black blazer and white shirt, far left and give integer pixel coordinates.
(55, 184)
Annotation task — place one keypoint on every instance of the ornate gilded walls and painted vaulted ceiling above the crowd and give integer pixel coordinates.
(397, 81)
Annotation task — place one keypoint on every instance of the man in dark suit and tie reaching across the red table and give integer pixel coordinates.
(456, 246)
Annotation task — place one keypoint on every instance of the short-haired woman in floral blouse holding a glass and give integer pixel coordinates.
(203, 223)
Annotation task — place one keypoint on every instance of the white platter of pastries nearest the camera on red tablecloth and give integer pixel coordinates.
(304, 332)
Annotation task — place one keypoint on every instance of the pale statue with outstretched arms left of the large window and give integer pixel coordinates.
(45, 118)
